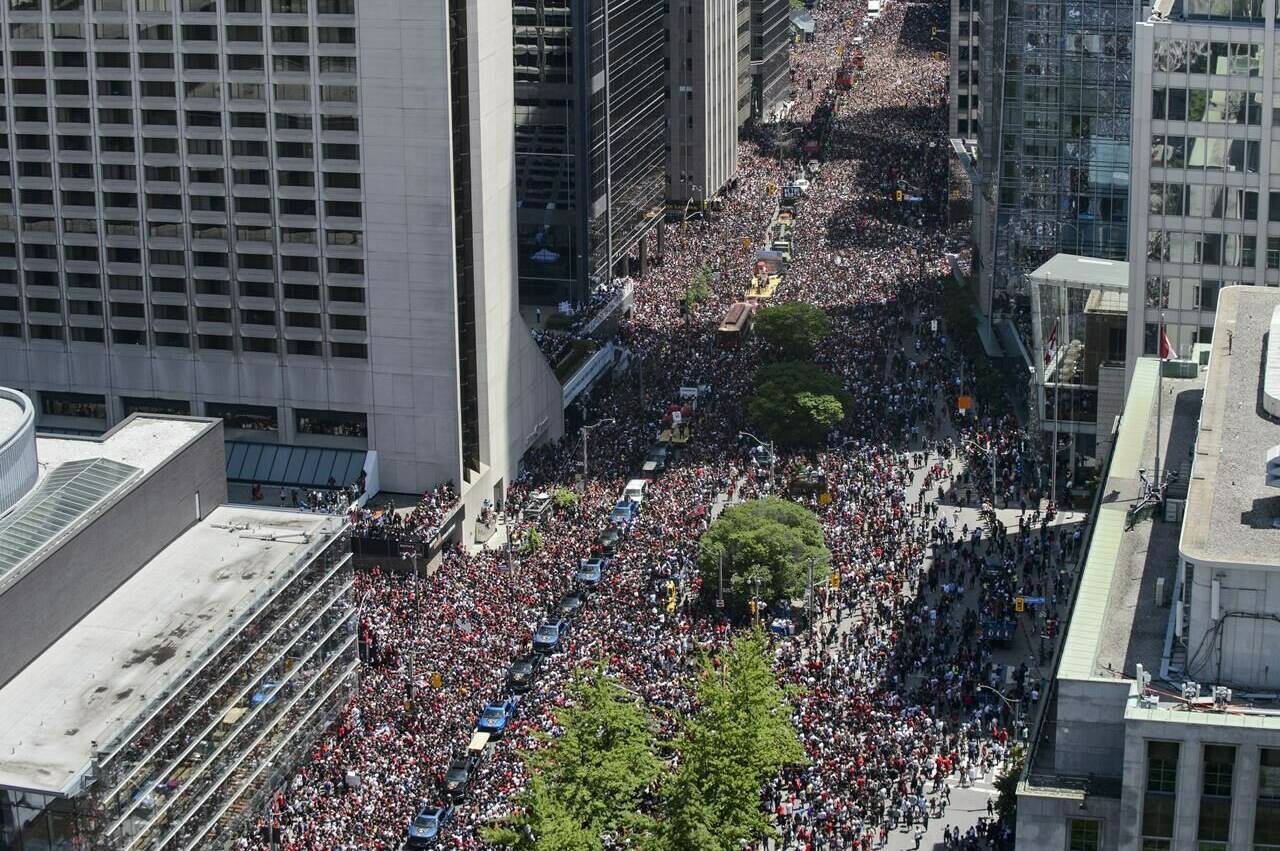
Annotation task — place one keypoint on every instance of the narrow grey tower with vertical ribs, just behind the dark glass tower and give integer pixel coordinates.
(702, 98)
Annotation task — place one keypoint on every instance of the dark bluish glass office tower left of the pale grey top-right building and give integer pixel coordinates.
(1055, 89)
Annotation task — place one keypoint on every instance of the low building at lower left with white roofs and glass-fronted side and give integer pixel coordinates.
(167, 660)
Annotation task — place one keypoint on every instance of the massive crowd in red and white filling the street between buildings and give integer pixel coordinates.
(898, 707)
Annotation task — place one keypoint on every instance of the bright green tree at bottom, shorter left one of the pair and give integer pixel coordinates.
(588, 781)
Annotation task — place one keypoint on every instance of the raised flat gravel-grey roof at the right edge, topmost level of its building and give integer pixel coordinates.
(1231, 509)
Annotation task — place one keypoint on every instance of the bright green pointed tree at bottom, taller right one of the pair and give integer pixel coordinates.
(740, 736)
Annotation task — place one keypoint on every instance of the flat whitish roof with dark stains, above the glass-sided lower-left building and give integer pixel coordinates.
(139, 643)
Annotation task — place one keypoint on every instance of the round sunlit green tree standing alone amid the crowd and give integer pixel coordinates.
(770, 541)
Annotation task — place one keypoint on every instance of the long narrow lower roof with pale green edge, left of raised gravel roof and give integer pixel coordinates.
(1116, 623)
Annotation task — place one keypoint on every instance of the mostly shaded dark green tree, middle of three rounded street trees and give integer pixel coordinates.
(798, 404)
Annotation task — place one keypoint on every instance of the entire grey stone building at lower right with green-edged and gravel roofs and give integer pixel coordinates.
(1162, 728)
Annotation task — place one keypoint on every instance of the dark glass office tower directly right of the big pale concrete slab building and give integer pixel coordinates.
(591, 140)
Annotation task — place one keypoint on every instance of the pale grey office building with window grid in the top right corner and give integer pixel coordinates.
(1204, 214)
